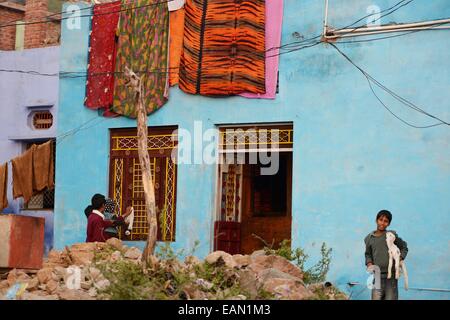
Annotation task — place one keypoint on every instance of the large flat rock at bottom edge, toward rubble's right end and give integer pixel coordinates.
(287, 289)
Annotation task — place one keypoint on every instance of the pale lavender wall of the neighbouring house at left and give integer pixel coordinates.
(20, 95)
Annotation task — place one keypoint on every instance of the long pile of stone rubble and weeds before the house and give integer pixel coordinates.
(219, 276)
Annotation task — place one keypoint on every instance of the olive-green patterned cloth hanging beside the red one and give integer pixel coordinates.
(142, 47)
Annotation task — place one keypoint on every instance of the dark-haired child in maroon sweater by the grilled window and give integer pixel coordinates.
(97, 222)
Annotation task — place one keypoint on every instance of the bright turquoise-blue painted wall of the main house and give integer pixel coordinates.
(351, 157)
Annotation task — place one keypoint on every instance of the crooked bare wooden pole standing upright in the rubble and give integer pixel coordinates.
(144, 160)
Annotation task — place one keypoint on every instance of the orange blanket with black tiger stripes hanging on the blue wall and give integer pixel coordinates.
(224, 47)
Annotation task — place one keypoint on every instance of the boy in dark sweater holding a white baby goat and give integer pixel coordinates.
(377, 254)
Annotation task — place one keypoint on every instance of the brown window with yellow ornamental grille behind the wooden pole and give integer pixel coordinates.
(125, 181)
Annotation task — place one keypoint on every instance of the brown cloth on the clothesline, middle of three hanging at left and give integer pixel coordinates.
(23, 175)
